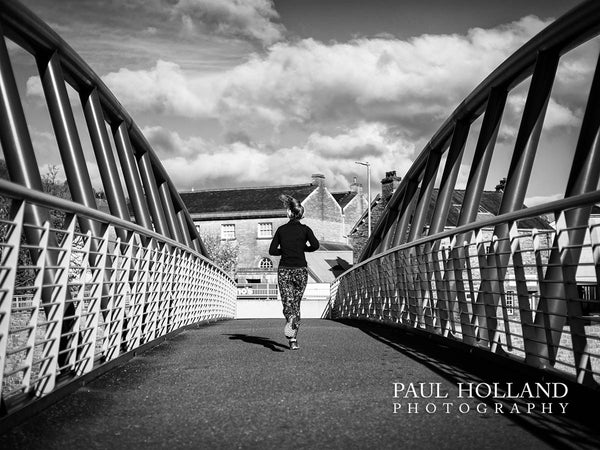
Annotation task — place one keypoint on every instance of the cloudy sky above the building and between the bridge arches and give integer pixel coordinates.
(236, 93)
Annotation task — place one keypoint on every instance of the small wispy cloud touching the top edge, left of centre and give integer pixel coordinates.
(246, 19)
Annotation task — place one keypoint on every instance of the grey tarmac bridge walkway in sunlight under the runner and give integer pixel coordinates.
(235, 384)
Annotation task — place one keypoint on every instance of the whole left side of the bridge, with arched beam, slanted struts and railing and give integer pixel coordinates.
(79, 287)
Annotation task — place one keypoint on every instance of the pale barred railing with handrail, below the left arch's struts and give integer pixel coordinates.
(133, 293)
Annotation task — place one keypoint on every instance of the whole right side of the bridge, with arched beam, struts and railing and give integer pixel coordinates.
(495, 284)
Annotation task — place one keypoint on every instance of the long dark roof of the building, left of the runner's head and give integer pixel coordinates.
(242, 199)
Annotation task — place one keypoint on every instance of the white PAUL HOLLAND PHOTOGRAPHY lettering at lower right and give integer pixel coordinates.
(496, 398)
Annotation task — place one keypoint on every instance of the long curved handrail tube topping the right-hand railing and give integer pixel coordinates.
(513, 216)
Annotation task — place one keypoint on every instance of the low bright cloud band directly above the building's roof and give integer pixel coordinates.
(202, 164)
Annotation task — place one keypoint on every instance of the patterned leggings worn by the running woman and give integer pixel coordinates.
(292, 283)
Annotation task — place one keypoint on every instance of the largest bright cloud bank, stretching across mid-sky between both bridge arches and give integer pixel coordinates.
(413, 84)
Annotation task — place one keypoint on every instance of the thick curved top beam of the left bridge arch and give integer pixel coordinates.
(27, 30)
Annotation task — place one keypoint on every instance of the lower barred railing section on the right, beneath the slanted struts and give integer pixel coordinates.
(473, 295)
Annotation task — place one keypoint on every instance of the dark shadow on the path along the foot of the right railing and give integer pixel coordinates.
(458, 364)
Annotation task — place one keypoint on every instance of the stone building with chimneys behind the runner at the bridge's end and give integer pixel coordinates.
(248, 218)
